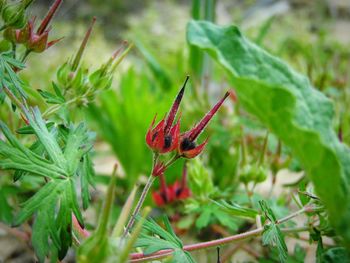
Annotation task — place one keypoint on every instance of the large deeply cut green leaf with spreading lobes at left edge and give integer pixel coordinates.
(61, 168)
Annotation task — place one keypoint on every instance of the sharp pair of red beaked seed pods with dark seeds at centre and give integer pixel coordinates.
(165, 137)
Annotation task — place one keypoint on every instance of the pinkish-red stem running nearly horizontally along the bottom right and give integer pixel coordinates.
(140, 257)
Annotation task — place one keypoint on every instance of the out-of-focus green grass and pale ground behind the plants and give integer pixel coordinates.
(312, 36)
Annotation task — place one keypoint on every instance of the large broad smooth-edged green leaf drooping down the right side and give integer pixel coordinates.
(288, 105)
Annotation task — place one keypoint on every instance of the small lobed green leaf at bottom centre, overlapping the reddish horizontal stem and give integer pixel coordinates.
(164, 239)
